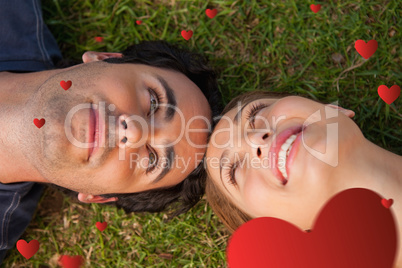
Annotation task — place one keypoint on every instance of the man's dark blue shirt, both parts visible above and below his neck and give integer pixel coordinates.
(27, 45)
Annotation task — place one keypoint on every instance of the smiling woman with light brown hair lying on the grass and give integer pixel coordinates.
(285, 157)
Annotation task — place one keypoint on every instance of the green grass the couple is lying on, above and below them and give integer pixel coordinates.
(271, 45)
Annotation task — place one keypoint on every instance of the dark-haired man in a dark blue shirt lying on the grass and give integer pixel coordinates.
(123, 128)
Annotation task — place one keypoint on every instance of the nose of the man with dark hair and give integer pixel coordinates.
(133, 131)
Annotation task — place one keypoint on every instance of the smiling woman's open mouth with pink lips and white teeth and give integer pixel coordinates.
(284, 149)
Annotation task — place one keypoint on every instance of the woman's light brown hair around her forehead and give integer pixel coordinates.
(230, 215)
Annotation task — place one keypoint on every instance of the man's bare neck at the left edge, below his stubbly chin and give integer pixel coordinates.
(15, 90)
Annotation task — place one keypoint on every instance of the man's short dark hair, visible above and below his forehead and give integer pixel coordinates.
(167, 56)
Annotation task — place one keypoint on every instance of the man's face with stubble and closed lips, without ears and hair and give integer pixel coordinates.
(136, 135)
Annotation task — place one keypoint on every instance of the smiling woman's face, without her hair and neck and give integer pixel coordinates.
(282, 158)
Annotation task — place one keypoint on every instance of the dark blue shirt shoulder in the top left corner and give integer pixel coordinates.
(26, 44)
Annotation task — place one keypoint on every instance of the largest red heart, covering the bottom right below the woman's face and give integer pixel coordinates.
(352, 230)
